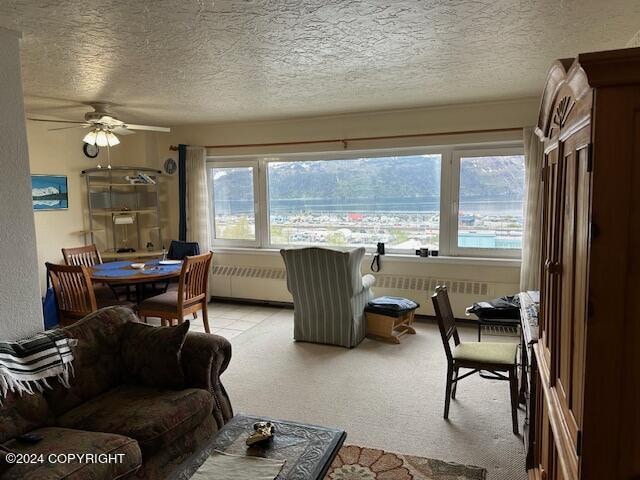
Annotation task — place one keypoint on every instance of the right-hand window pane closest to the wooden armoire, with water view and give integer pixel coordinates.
(489, 204)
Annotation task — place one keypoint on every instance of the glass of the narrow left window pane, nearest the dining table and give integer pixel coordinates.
(234, 203)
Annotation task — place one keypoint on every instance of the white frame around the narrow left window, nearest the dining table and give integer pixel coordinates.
(229, 242)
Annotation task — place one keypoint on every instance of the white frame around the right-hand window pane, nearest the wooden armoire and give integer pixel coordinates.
(452, 247)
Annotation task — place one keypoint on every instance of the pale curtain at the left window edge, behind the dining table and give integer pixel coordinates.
(197, 200)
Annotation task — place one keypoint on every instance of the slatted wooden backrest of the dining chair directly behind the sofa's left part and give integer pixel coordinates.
(73, 289)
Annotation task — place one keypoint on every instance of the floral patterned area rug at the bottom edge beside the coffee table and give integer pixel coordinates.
(360, 463)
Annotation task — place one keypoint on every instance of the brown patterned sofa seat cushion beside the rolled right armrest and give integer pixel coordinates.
(154, 417)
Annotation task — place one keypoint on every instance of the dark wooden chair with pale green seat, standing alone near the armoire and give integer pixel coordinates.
(476, 356)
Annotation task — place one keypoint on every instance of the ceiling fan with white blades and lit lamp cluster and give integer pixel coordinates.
(104, 125)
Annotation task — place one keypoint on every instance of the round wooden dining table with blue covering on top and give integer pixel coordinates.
(122, 273)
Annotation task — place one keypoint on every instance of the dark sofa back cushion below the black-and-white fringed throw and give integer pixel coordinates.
(22, 413)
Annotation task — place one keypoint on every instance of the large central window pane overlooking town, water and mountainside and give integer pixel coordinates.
(356, 202)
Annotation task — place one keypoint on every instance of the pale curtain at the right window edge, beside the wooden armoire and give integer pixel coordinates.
(534, 157)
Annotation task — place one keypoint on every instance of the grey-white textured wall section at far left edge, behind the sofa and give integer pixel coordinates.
(20, 306)
